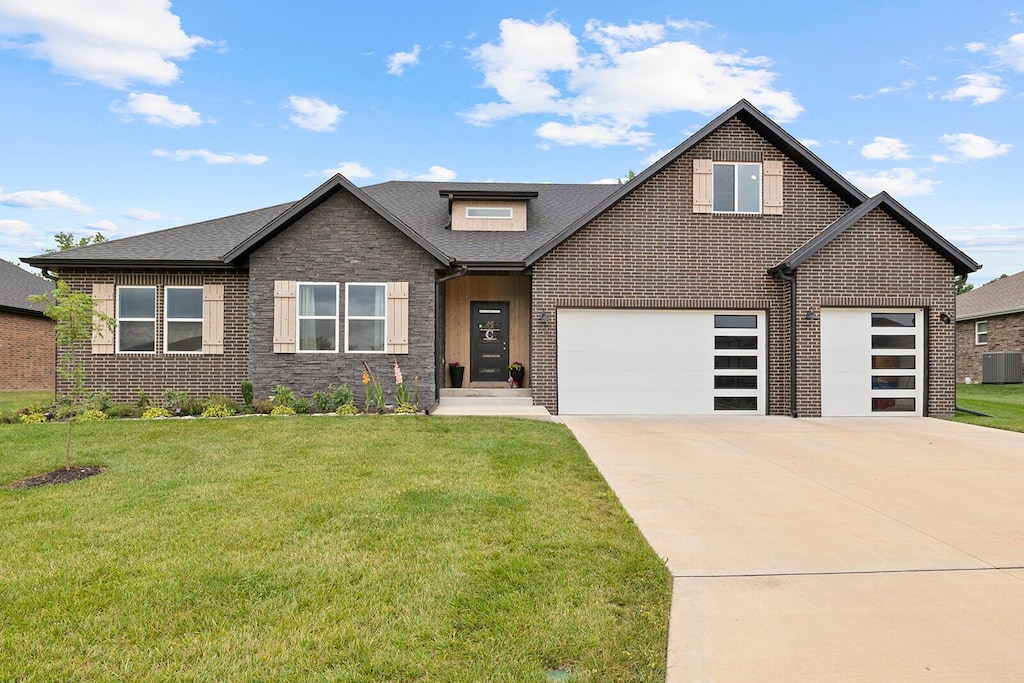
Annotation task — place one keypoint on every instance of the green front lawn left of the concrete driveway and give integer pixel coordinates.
(325, 549)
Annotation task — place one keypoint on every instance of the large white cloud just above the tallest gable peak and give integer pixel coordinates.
(632, 73)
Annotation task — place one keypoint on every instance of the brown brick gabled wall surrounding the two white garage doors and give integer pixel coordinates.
(651, 250)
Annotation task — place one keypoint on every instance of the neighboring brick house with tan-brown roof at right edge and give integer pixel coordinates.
(990, 319)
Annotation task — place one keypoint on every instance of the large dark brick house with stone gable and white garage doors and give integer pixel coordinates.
(740, 274)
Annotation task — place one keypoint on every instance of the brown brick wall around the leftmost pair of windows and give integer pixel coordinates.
(126, 375)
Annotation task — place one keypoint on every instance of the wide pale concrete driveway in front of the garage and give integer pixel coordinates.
(848, 549)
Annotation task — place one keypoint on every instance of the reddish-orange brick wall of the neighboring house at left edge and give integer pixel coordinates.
(27, 353)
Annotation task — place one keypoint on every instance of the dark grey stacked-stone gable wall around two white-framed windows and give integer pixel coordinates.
(343, 241)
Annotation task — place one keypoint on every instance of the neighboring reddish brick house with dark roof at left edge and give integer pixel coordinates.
(27, 337)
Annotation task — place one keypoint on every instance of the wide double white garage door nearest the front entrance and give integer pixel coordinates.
(661, 362)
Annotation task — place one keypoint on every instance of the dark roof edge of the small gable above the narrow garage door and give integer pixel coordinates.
(962, 264)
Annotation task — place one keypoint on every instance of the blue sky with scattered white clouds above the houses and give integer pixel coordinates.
(130, 117)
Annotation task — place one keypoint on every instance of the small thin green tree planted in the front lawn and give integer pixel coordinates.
(75, 315)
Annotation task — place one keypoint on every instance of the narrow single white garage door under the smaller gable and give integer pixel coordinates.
(873, 362)
